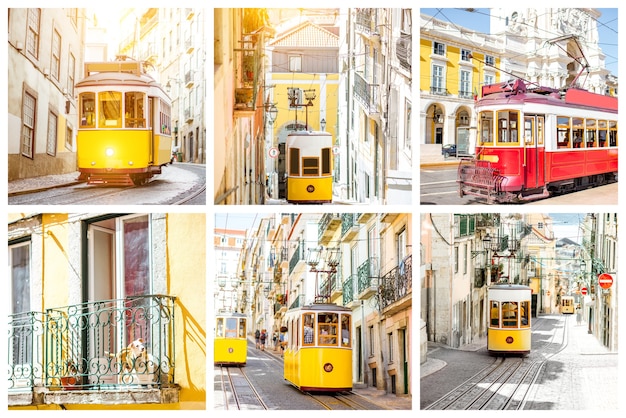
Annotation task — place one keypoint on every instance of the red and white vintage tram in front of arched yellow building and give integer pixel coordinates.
(535, 142)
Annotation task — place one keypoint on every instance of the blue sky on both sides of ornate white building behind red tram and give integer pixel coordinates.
(478, 20)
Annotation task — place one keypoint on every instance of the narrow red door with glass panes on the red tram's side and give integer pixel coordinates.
(534, 157)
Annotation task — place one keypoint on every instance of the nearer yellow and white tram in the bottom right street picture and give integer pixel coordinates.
(509, 329)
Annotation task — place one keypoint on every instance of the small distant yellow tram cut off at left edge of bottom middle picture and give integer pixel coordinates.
(230, 345)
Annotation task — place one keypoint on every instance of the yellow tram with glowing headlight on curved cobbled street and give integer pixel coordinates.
(124, 130)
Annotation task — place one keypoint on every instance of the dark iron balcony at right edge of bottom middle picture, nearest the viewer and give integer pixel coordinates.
(396, 287)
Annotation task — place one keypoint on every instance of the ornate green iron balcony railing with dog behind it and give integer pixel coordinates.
(86, 346)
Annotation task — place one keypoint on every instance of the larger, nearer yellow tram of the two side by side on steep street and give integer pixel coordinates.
(318, 355)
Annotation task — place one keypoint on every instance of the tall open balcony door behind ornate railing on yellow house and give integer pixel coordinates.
(118, 266)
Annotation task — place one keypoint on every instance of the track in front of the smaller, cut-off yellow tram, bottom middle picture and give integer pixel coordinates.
(238, 391)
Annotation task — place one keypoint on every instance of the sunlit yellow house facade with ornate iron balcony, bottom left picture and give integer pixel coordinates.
(83, 287)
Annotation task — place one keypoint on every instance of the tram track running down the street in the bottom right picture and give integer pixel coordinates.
(507, 382)
